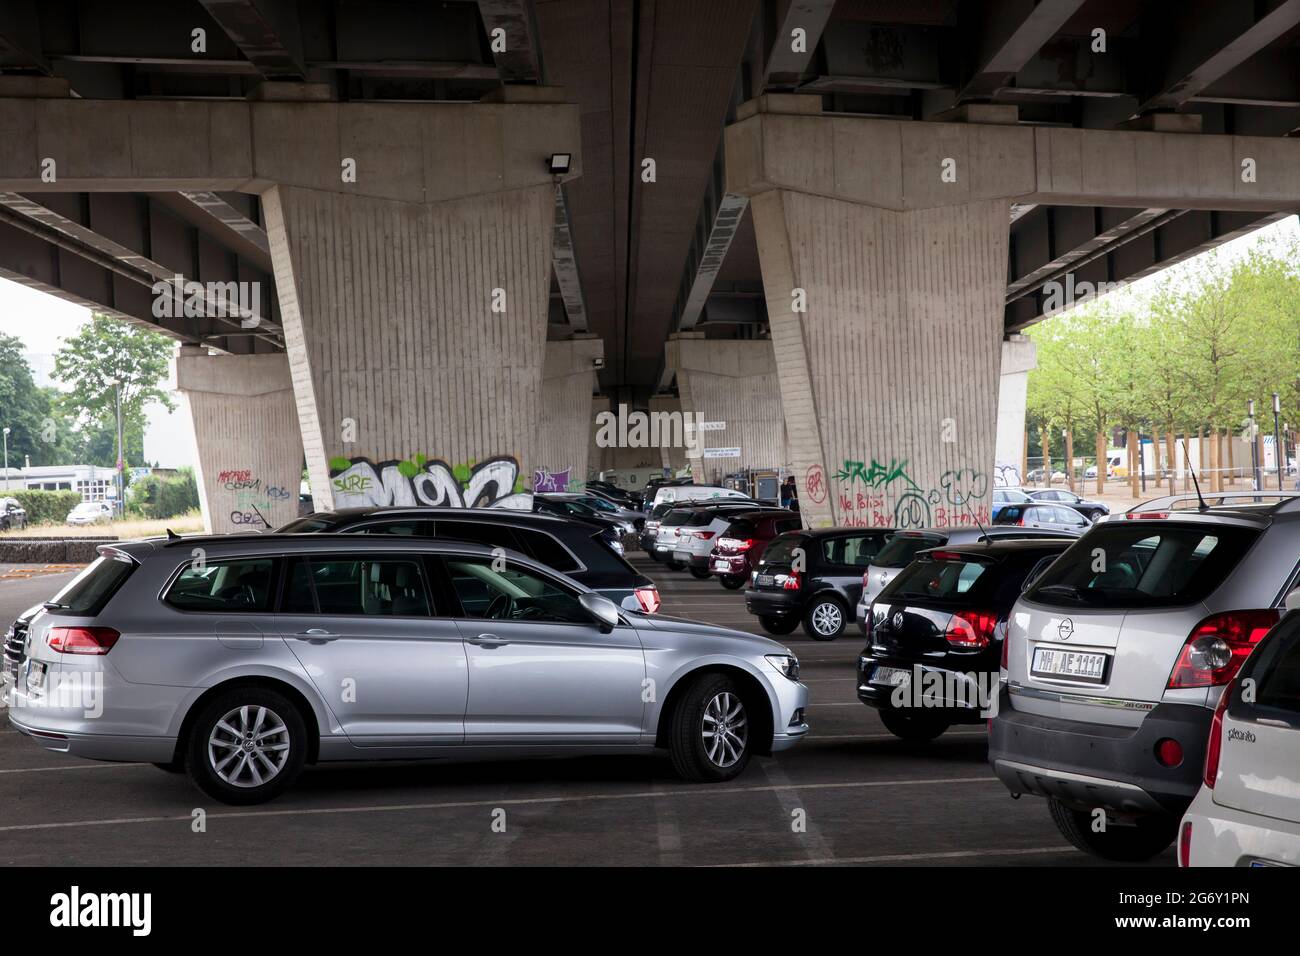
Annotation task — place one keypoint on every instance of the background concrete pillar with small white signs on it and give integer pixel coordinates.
(731, 387)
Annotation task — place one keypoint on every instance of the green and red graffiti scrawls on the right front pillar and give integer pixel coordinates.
(886, 496)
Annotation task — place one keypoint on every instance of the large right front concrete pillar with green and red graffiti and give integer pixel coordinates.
(883, 249)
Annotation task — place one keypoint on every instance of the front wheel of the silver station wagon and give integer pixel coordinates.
(699, 754)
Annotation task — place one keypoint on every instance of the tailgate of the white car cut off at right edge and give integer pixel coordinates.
(1260, 745)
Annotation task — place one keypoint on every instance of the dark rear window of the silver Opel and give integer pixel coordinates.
(1150, 564)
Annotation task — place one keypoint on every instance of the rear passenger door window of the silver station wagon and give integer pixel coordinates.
(357, 585)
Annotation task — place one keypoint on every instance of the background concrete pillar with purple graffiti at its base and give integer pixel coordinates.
(569, 380)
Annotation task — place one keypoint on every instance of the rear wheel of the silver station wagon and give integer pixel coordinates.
(259, 707)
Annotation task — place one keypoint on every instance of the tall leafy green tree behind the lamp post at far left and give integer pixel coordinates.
(105, 352)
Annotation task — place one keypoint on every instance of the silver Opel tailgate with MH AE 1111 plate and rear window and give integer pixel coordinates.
(1098, 635)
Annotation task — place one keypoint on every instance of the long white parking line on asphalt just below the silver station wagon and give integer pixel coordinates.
(519, 802)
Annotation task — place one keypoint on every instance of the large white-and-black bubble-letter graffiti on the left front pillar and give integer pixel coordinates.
(418, 481)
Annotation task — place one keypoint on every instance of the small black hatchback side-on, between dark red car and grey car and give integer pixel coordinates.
(813, 577)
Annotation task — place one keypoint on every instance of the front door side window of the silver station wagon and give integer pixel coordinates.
(491, 592)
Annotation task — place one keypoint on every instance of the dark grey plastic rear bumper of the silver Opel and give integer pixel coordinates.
(1090, 765)
